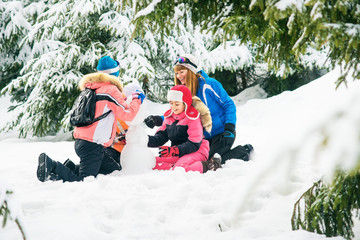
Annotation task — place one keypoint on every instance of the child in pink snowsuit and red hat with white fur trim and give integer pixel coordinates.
(182, 126)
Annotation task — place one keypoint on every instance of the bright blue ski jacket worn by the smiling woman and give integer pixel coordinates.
(221, 106)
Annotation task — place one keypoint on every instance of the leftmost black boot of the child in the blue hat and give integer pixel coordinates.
(45, 168)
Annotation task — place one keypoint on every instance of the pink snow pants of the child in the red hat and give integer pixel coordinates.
(190, 162)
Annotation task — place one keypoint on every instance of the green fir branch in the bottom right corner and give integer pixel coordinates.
(329, 208)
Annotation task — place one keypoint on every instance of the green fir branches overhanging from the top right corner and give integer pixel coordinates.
(281, 34)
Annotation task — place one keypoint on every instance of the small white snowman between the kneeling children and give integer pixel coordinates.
(136, 157)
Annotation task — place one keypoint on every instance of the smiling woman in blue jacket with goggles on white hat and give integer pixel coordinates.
(221, 106)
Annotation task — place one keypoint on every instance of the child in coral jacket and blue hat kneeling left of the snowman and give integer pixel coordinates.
(92, 141)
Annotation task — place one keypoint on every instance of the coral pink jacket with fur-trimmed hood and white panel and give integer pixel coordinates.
(103, 131)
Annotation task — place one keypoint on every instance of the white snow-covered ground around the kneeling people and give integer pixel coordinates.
(244, 200)
